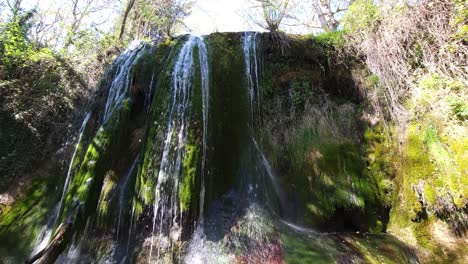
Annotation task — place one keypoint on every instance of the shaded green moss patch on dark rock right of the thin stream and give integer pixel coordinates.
(333, 175)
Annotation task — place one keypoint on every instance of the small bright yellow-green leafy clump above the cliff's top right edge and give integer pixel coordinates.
(362, 15)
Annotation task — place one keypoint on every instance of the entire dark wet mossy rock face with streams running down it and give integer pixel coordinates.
(194, 153)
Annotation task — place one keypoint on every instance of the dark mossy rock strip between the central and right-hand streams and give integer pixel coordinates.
(229, 113)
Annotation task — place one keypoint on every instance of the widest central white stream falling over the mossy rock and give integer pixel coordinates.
(166, 193)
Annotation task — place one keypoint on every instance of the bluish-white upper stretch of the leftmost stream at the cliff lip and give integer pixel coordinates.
(119, 87)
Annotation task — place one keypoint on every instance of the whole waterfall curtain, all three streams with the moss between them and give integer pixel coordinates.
(146, 150)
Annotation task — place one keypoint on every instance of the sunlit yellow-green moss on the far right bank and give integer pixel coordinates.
(424, 157)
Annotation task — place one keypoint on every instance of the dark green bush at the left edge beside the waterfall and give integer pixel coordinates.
(39, 95)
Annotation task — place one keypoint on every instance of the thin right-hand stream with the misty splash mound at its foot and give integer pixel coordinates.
(239, 216)
